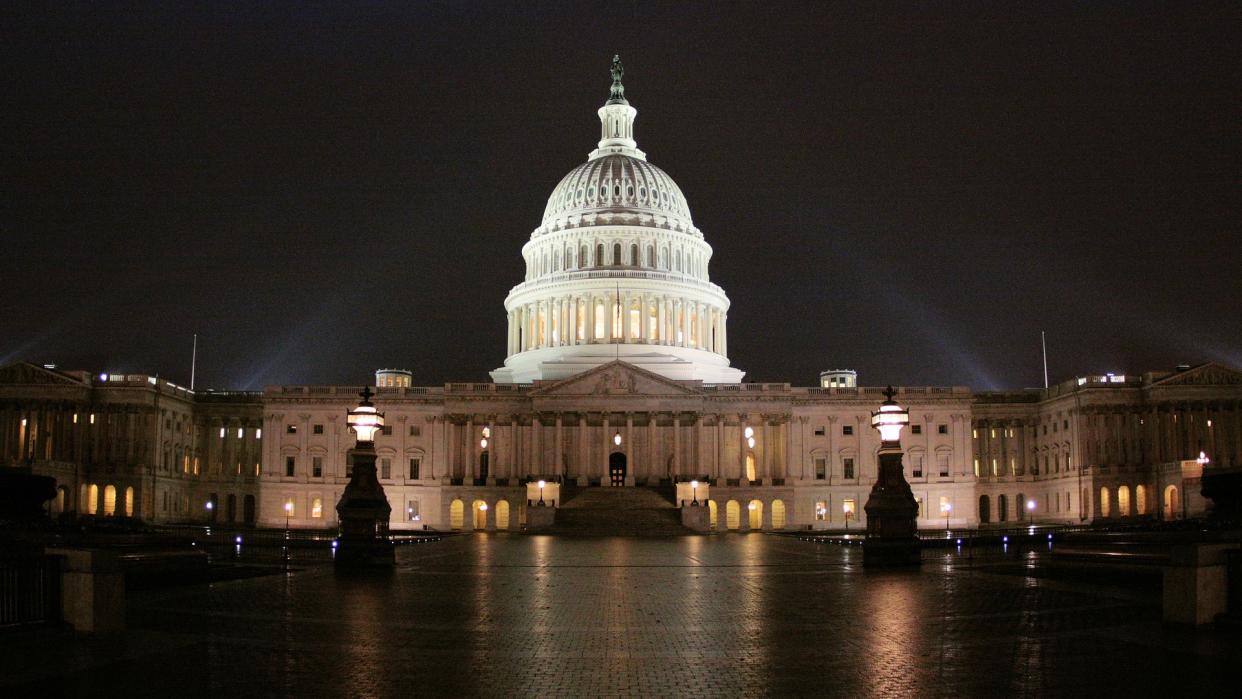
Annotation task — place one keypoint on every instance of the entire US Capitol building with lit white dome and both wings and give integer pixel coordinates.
(618, 374)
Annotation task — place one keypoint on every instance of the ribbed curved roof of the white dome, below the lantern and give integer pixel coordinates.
(618, 184)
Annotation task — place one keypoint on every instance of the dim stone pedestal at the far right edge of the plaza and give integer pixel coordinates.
(1197, 583)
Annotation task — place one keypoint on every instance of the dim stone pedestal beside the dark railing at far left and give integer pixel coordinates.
(93, 590)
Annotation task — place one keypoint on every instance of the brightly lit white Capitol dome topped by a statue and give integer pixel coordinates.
(617, 271)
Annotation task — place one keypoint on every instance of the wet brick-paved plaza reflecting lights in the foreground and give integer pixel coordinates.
(728, 615)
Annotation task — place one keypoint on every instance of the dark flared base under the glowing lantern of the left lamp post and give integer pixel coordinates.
(365, 515)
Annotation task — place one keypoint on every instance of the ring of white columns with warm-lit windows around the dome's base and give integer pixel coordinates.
(634, 317)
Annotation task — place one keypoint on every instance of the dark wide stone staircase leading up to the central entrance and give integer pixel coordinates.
(619, 512)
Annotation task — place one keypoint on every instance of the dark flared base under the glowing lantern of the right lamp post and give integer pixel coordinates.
(892, 516)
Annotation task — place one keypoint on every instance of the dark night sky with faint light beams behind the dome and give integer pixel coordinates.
(913, 191)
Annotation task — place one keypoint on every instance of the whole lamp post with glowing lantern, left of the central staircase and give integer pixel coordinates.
(363, 510)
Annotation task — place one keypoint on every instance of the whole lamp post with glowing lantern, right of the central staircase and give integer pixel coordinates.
(892, 511)
